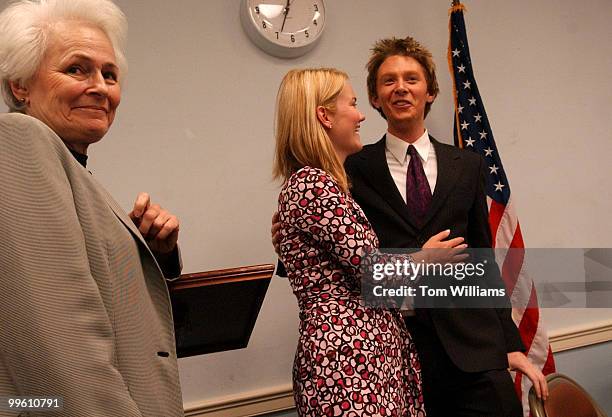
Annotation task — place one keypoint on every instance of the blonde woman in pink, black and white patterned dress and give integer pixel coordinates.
(351, 359)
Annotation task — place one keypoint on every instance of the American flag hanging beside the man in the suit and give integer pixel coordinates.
(473, 132)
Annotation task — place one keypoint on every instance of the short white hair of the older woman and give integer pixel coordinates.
(24, 32)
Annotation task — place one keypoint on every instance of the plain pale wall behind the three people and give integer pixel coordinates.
(195, 130)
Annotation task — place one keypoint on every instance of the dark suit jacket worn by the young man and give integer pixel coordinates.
(475, 339)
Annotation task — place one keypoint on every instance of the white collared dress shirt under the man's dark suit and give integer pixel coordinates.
(398, 159)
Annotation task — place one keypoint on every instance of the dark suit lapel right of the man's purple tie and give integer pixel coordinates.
(449, 170)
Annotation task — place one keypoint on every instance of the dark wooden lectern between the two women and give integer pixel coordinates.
(216, 311)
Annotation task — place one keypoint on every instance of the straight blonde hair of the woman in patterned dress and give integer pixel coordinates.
(301, 140)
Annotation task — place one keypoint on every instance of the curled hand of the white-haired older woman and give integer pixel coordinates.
(158, 226)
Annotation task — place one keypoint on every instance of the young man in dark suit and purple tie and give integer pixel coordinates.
(412, 187)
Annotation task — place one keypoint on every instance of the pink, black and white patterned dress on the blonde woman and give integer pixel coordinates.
(351, 360)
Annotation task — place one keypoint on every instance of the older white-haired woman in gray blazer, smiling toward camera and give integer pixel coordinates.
(84, 306)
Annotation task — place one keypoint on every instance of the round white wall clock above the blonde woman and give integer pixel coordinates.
(284, 28)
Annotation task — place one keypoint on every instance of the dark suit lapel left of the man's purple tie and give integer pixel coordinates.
(377, 170)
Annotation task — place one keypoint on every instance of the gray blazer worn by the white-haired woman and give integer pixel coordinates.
(84, 307)
